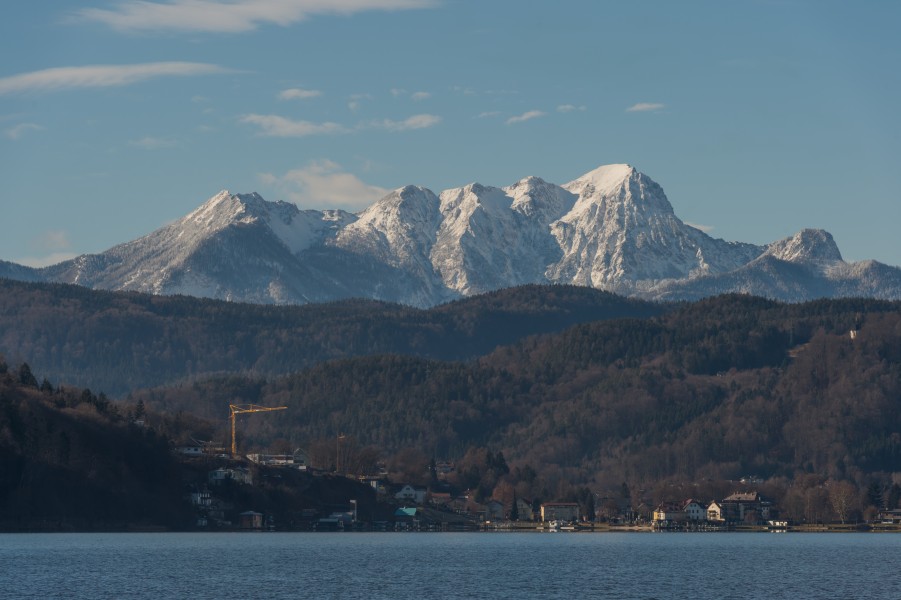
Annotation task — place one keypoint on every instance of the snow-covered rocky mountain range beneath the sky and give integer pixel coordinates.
(612, 229)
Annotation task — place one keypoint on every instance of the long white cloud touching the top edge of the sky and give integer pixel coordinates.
(228, 16)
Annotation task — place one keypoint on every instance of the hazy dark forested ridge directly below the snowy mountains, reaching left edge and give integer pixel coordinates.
(118, 342)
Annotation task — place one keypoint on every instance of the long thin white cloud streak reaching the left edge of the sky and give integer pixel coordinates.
(99, 76)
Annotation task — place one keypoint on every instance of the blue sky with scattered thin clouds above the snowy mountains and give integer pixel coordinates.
(758, 118)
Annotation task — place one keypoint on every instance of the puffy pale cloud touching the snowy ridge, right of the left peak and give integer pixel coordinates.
(324, 184)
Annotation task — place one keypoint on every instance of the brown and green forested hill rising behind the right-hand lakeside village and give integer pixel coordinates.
(722, 388)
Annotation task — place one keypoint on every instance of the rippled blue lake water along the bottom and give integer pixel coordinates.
(693, 566)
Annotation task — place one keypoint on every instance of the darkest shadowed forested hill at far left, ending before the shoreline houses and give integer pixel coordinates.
(73, 460)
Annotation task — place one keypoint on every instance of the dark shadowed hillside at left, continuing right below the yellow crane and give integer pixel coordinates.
(71, 460)
